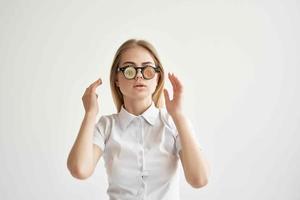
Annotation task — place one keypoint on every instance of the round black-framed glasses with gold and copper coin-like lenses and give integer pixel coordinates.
(130, 71)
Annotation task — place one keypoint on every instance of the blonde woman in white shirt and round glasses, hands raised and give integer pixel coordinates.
(141, 143)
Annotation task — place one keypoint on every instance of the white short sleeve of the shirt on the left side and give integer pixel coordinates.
(100, 132)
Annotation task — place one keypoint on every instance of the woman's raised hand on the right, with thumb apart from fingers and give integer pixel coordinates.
(174, 106)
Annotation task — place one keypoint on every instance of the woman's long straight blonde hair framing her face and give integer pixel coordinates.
(157, 96)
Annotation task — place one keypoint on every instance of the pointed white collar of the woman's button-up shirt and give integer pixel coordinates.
(149, 115)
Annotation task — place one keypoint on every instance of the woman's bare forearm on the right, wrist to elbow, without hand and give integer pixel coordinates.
(195, 166)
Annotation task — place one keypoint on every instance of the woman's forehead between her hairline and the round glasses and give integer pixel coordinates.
(137, 55)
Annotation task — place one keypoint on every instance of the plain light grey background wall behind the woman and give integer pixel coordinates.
(239, 62)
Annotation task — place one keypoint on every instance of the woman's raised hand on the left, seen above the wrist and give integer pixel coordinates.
(89, 98)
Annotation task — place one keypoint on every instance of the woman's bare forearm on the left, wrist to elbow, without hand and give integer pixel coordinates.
(80, 159)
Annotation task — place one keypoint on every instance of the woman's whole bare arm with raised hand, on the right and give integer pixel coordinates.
(195, 166)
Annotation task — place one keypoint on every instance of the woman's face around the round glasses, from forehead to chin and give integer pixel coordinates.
(137, 56)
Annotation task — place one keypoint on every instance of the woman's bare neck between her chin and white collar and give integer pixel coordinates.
(137, 106)
